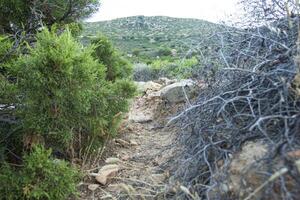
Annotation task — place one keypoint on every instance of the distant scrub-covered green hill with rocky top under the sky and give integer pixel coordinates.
(151, 36)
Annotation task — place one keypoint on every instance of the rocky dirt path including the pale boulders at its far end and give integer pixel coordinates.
(131, 163)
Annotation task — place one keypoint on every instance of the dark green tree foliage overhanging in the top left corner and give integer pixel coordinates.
(27, 15)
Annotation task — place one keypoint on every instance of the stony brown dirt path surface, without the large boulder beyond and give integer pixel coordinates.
(141, 147)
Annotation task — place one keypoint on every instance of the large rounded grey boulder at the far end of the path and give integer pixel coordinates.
(174, 93)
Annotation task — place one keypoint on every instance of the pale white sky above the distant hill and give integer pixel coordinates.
(211, 10)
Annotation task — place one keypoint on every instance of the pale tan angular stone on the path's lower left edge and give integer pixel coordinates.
(106, 173)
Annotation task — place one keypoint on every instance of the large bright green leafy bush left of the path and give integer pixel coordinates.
(64, 92)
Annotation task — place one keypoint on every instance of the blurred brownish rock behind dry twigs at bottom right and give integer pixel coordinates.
(242, 176)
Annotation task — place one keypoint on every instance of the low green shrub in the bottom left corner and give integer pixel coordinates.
(40, 177)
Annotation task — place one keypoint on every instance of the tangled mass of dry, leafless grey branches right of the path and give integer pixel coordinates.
(251, 99)
